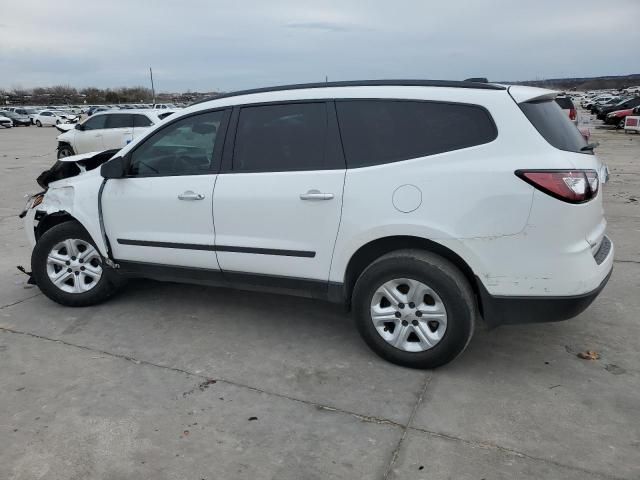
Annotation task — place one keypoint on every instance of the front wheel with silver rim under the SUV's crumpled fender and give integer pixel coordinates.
(73, 293)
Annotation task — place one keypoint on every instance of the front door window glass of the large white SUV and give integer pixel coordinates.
(185, 147)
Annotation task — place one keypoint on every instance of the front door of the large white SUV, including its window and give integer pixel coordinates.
(162, 212)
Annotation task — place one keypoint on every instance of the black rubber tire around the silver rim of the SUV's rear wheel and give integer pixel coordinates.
(459, 304)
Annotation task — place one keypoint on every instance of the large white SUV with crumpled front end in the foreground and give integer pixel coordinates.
(420, 205)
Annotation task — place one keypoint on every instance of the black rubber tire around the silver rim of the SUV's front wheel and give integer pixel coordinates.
(67, 230)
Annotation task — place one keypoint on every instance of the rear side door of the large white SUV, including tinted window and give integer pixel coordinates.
(277, 202)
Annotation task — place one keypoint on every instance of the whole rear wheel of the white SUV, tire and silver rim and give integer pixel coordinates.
(449, 291)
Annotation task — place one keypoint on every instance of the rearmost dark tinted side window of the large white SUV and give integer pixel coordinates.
(385, 131)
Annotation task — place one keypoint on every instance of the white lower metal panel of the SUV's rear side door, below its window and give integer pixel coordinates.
(264, 210)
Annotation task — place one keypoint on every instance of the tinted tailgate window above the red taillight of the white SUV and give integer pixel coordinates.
(554, 125)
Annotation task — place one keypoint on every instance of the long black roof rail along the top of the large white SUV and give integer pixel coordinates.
(478, 83)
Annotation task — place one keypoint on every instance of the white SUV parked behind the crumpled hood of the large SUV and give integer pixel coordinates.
(106, 131)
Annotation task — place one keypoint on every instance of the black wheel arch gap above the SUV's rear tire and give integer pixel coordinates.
(366, 254)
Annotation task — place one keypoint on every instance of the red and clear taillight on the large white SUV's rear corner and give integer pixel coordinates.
(573, 186)
